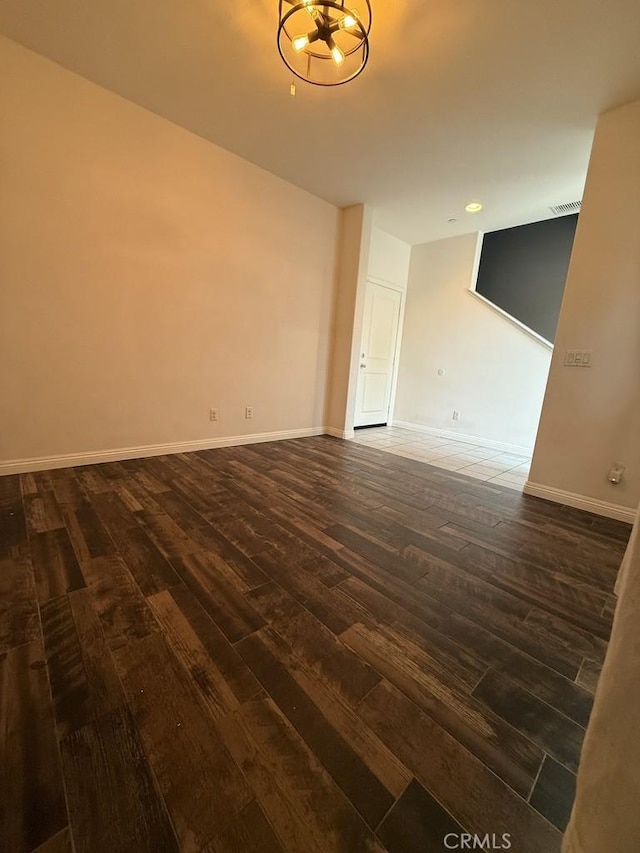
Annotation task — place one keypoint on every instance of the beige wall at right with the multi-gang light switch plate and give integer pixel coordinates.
(591, 417)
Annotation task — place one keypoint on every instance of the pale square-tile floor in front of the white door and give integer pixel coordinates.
(474, 460)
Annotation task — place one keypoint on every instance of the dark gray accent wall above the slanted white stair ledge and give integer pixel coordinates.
(523, 270)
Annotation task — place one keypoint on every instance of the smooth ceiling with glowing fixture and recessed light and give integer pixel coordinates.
(494, 100)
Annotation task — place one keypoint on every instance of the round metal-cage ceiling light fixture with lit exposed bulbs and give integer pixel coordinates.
(326, 44)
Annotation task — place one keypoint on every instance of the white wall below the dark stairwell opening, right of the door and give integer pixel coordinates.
(494, 373)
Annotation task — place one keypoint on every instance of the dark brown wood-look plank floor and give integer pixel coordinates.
(302, 646)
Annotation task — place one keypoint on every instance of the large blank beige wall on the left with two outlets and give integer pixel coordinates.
(146, 276)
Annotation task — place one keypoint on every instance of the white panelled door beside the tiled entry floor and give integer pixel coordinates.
(377, 354)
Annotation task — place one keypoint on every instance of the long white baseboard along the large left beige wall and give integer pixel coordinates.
(71, 460)
